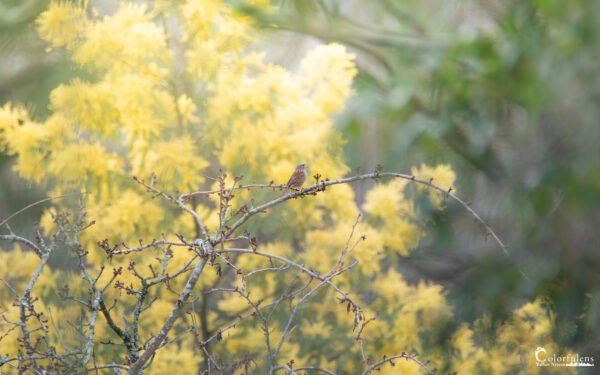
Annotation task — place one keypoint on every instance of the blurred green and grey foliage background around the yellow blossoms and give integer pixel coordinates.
(507, 92)
